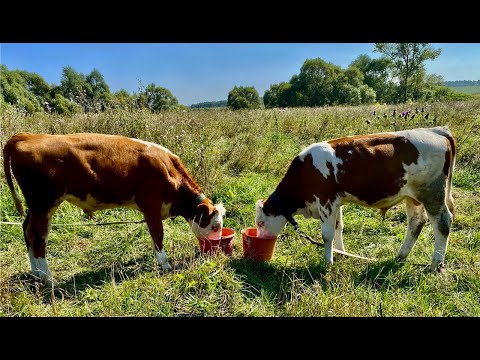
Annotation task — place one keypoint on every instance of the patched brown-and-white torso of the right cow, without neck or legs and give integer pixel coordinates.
(371, 168)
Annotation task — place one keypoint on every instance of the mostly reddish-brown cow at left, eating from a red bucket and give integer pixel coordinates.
(96, 172)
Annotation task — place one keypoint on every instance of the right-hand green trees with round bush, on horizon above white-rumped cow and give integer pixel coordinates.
(398, 76)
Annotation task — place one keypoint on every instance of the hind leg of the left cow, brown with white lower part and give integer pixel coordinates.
(36, 227)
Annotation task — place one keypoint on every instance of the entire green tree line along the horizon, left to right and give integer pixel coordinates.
(398, 76)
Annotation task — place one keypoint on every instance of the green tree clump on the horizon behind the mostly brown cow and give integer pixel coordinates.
(78, 93)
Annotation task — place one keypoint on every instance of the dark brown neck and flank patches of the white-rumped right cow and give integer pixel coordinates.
(372, 170)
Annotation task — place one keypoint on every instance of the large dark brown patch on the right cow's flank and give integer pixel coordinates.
(372, 167)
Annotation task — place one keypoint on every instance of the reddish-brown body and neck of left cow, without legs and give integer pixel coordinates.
(112, 169)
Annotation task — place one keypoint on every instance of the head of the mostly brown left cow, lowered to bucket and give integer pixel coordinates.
(208, 220)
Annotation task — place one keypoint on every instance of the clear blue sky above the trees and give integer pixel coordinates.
(196, 72)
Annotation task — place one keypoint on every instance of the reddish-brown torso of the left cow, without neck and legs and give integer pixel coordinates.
(85, 166)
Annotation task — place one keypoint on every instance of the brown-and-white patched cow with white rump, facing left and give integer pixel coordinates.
(374, 170)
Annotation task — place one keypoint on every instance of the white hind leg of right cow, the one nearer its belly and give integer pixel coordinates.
(416, 220)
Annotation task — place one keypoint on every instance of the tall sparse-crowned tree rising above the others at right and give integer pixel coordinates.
(407, 60)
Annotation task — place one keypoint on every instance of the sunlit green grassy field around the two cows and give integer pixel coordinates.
(237, 158)
